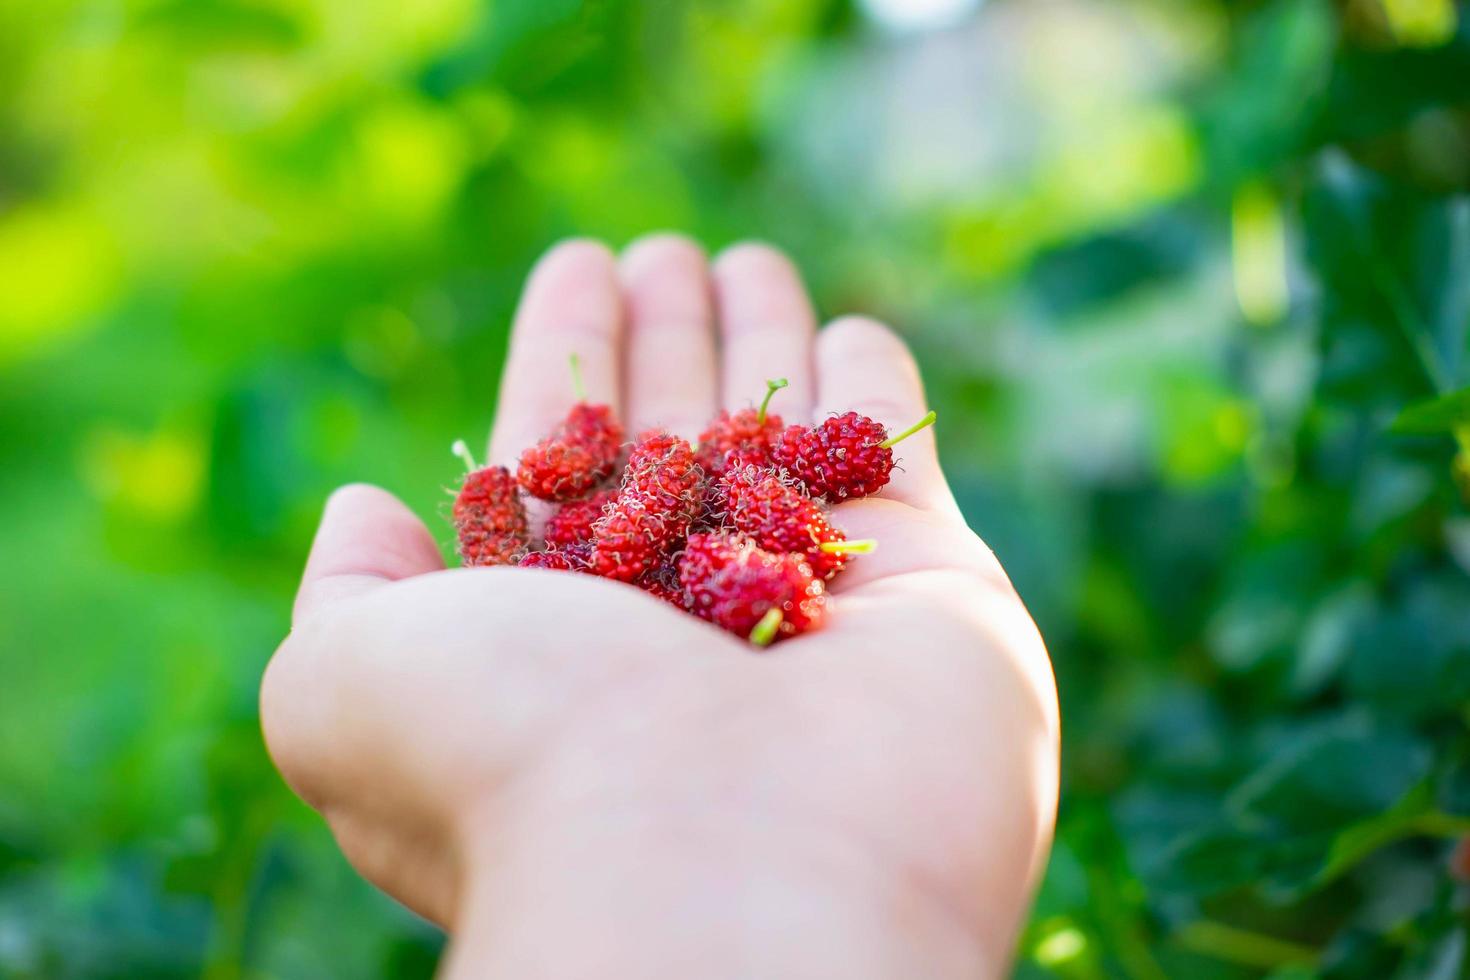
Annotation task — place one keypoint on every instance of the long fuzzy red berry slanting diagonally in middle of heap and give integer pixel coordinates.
(661, 496)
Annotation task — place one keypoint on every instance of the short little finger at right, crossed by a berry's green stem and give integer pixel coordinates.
(864, 367)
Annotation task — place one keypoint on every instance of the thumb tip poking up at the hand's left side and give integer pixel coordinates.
(367, 538)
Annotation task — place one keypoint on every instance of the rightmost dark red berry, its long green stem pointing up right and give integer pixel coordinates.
(839, 459)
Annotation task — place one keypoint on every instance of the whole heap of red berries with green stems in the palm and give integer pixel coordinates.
(731, 530)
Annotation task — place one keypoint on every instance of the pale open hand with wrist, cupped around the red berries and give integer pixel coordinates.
(580, 781)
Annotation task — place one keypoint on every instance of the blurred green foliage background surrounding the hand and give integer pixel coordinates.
(1190, 278)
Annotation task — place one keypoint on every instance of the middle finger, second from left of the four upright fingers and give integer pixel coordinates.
(671, 365)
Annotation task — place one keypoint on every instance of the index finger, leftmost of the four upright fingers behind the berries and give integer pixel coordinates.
(571, 306)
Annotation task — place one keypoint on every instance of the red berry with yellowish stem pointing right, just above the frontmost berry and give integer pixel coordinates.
(780, 518)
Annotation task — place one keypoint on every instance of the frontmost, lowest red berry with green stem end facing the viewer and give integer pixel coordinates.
(734, 584)
